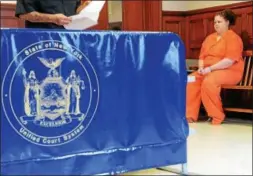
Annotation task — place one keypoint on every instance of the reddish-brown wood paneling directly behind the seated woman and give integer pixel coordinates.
(200, 23)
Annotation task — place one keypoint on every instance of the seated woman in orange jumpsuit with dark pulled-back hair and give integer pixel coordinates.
(220, 63)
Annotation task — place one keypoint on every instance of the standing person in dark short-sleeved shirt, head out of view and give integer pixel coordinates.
(50, 14)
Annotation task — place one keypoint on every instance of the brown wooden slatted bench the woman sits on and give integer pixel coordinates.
(246, 82)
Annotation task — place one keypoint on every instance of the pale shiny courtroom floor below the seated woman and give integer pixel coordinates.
(215, 150)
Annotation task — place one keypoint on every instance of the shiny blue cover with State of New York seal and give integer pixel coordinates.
(91, 102)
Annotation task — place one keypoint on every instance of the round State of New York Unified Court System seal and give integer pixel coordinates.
(50, 93)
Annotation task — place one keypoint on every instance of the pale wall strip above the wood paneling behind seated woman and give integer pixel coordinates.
(178, 5)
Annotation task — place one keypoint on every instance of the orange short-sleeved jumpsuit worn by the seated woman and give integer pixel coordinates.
(207, 87)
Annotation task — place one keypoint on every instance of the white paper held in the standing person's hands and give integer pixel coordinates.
(87, 18)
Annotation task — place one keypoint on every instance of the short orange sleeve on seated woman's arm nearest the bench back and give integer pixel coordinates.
(234, 48)
